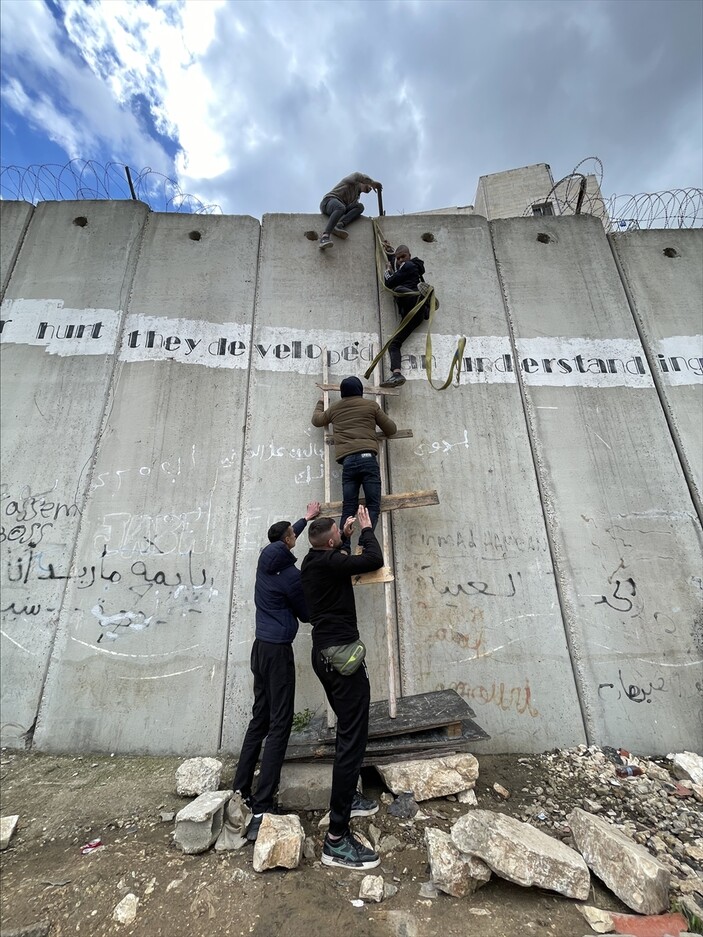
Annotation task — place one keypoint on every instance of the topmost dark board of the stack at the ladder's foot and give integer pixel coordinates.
(415, 714)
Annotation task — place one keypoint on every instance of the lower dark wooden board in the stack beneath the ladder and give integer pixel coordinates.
(429, 744)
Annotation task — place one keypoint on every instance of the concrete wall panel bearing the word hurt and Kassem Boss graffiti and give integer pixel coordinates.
(61, 316)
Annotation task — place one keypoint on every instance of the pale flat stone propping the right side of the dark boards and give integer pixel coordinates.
(432, 777)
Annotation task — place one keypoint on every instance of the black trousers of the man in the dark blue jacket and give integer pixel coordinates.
(273, 667)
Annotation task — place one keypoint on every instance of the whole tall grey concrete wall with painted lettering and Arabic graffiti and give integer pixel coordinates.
(145, 454)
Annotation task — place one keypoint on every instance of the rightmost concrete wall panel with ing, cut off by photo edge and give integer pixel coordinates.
(667, 298)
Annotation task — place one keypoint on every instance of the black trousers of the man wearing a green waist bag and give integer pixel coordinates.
(349, 697)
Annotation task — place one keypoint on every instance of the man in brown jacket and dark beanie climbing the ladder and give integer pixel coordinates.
(355, 445)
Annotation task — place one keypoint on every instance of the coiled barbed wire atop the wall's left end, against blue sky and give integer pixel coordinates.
(88, 179)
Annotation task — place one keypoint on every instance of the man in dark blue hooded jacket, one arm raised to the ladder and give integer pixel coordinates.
(280, 604)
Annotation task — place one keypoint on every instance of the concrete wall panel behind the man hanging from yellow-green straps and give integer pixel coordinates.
(478, 607)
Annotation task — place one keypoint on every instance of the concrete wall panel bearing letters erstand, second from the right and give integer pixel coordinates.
(626, 537)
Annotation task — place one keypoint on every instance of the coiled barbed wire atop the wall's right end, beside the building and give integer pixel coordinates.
(674, 208)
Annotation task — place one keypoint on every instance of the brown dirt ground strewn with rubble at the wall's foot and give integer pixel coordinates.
(65, 802)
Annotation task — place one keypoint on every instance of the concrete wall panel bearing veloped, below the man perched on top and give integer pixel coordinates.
(307, 299)
